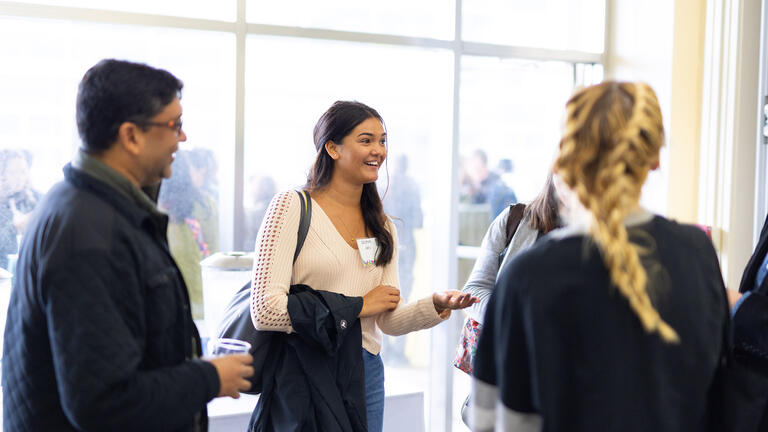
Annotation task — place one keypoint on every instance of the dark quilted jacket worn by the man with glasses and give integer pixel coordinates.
(99, 334)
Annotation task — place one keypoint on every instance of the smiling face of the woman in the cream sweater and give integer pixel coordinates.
(360, 154)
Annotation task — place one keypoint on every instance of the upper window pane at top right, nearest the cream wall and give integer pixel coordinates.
(554, 24)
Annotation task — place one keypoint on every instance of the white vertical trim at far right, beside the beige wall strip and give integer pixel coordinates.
(730, 117)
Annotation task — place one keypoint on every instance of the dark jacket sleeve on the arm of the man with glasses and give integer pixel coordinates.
(98, 358)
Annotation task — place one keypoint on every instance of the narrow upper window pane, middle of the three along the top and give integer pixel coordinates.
(424, 18)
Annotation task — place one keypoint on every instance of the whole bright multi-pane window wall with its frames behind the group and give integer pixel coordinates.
(256, 91)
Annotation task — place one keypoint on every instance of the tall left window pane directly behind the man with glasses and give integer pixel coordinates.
(39, 79)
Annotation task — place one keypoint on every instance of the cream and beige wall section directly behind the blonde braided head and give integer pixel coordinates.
(668, 55)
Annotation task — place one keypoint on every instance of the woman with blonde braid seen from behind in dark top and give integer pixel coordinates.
(616, 322)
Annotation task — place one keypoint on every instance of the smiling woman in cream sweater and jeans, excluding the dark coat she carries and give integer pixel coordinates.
(351, 247)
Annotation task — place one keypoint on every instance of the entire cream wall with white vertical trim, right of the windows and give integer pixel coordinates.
(701, 57)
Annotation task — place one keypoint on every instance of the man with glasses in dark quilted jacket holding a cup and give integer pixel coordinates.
(99, 334)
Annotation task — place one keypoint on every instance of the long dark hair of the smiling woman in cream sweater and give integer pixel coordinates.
(336, 123)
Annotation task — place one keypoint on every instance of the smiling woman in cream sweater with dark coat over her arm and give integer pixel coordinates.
(350, 252)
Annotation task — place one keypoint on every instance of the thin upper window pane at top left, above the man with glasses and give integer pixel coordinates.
(224, 10)
